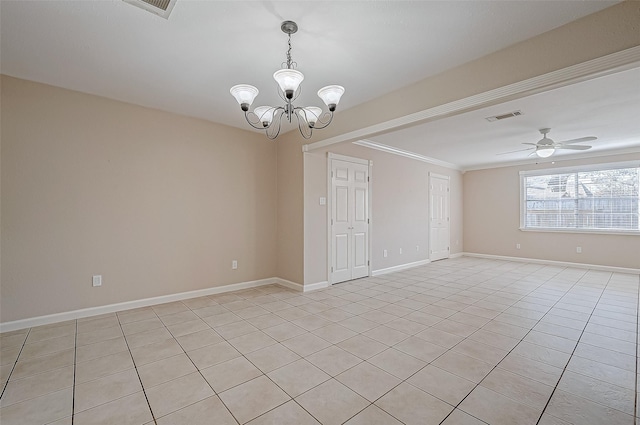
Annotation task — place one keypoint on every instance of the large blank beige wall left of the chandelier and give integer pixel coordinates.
(154, 202)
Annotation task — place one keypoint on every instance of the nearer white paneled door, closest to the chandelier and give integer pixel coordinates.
(349, 220)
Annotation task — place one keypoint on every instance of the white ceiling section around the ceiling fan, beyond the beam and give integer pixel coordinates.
(606, 107)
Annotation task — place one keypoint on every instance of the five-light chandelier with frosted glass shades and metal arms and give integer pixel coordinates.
(269, 118)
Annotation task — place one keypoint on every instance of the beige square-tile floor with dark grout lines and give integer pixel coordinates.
(462, 341)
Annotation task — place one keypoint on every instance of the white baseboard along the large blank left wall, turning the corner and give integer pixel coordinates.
(128, 305)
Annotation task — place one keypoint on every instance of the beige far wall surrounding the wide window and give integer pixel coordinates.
(492, 221)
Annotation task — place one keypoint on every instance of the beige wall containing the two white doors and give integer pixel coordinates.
(399, 209)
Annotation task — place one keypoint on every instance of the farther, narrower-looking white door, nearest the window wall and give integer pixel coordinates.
(438, 217)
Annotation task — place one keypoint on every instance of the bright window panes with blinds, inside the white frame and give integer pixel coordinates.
(601, 198)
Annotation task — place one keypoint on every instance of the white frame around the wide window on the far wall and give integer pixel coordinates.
(567, 170)
